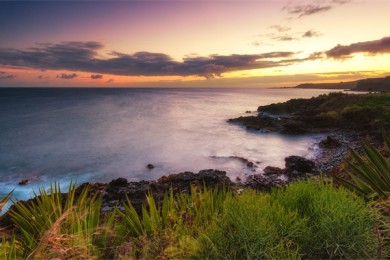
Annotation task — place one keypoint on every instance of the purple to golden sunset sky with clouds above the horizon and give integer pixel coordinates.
(192, 43)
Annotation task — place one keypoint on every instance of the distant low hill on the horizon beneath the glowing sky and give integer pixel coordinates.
(370, 84)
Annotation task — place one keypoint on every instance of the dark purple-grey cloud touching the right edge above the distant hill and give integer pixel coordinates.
(370, 47)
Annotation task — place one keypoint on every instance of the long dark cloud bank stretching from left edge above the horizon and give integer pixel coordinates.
(81, 56)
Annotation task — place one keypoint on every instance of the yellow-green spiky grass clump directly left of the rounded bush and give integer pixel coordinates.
(169, 229)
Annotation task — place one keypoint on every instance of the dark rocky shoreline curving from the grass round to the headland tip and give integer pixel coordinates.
(331, 152)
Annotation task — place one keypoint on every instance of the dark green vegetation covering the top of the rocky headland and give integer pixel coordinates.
(351, 111)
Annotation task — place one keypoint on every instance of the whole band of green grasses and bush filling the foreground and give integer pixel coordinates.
(304, 220)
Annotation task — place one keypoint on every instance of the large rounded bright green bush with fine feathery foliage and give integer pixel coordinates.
(304, 220)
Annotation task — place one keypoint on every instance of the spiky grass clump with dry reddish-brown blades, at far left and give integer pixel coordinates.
(52, 226)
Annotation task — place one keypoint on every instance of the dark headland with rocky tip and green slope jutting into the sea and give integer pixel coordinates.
(365, 112)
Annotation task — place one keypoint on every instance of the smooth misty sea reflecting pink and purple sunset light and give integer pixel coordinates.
(100, 134)
